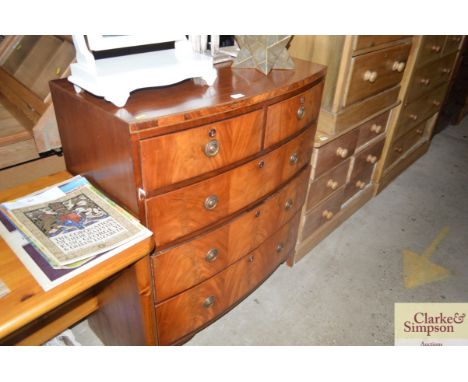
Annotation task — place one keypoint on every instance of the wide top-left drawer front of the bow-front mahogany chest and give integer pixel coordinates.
(171, 158)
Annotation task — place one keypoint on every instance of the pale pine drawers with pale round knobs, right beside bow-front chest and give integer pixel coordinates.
(361, 88)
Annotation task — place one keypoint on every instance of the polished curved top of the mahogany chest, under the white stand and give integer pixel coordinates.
(192, 99)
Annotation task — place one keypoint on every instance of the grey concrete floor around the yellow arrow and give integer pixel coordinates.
(343, 292)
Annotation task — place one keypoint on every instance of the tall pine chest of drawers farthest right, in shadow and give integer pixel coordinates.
(424, 86)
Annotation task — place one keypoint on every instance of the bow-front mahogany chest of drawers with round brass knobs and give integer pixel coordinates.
(219, 174)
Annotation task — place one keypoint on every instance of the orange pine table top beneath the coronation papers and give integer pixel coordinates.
(26, 300)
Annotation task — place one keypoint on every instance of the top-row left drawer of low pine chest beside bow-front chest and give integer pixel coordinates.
(333, 153)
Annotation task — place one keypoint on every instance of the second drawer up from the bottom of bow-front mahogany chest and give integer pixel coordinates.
(179, 268)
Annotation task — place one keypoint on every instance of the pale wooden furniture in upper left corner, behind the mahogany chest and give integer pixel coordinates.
(27, 121)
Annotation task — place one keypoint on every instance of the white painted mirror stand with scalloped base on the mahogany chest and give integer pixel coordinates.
(114, 78)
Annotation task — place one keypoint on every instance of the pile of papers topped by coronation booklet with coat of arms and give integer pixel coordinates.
(47, 229)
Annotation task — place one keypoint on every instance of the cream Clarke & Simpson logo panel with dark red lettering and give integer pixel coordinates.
(439, 323)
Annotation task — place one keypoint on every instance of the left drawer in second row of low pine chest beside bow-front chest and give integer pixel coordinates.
(324, 186)
